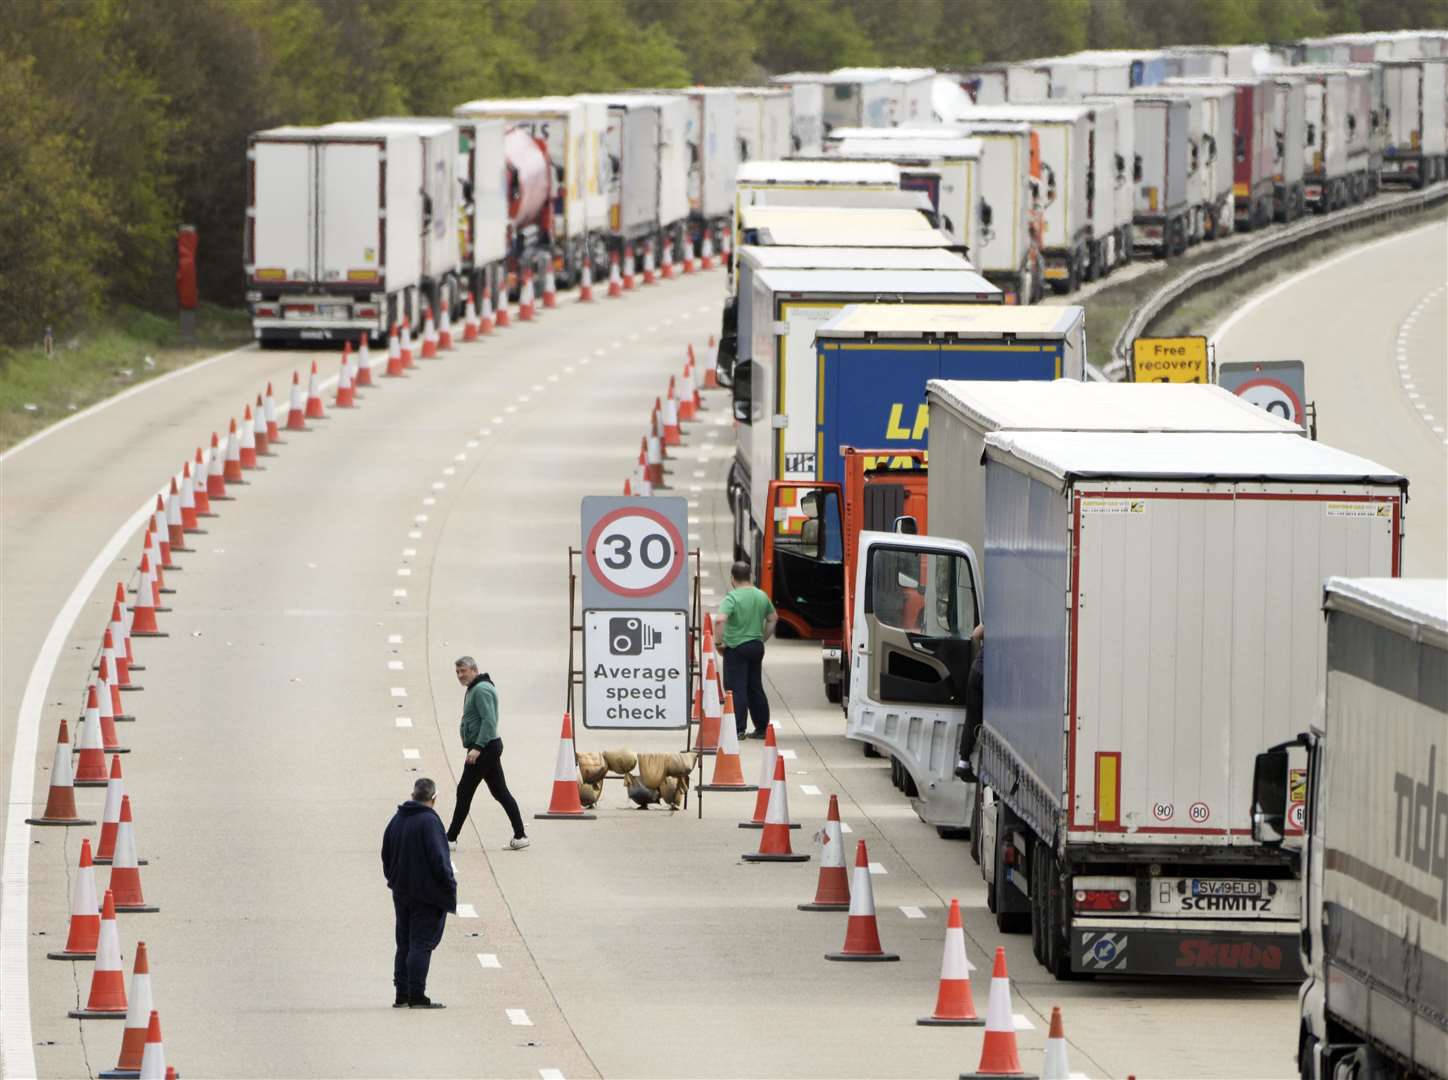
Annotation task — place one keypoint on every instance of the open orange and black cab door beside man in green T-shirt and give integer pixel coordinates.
(803, 561)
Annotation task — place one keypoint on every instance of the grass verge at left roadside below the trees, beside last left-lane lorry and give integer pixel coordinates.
(104, 360)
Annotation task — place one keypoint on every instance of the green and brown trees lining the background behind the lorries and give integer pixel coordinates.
(127, 118)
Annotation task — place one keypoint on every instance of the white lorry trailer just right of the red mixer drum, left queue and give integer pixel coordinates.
(573, 130)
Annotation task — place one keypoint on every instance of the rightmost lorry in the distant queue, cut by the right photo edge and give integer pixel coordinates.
(1414, 99)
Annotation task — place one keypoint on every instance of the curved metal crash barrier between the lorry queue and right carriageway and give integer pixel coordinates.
(1271, 245)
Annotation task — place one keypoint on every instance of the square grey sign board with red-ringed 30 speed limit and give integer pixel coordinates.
(635, 552)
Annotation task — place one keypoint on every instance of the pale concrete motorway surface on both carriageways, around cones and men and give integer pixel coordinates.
(308, 681)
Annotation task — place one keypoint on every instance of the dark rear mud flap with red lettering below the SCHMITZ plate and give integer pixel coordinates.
(1224, 955)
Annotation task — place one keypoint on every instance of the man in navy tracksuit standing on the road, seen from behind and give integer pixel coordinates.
(419, 872)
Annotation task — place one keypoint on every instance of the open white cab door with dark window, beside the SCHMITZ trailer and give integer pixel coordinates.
(916, 604)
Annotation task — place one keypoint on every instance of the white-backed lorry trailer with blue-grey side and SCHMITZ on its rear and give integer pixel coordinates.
(1153, 626)
